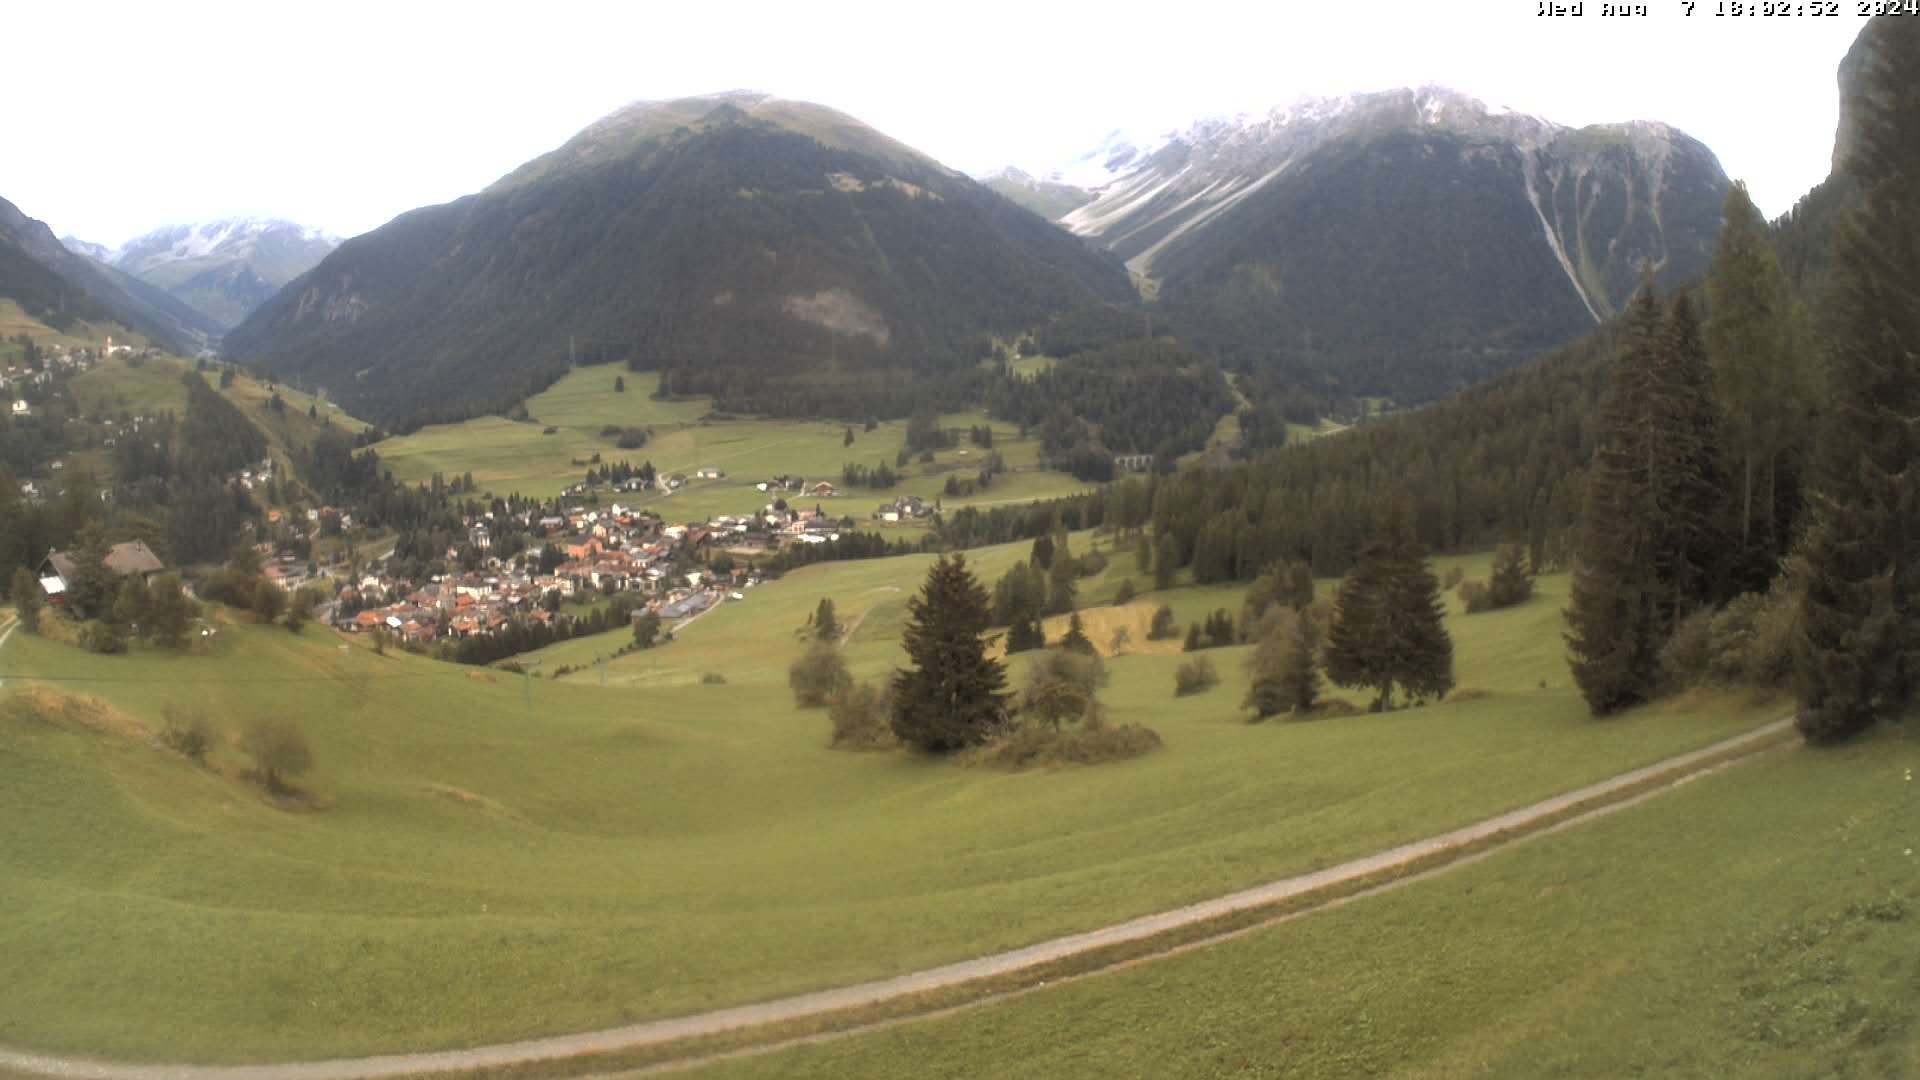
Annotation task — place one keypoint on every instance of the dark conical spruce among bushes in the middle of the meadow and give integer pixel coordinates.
(955, 693)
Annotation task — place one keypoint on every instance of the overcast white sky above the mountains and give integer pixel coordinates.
(132, 116)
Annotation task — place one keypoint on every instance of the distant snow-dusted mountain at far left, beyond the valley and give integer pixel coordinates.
(226, 268)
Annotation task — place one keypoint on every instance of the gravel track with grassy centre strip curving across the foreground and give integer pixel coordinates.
(804, 1006)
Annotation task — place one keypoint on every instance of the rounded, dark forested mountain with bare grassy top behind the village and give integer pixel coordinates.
(731, 237)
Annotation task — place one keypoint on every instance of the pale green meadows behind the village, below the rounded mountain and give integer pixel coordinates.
(508, 456)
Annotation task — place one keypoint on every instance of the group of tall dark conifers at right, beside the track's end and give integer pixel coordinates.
(1687, 503)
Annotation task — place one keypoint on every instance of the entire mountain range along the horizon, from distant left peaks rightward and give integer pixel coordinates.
(759, 249)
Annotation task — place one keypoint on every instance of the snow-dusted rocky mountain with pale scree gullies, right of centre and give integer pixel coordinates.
(1408, 241)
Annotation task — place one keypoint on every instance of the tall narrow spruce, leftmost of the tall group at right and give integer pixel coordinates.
(1614, 631)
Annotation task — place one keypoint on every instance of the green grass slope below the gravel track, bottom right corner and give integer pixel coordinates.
(1758, 923)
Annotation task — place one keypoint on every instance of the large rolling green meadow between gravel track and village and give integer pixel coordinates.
(504, 856)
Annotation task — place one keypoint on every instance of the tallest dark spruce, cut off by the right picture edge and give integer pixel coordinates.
(1858, 645)
